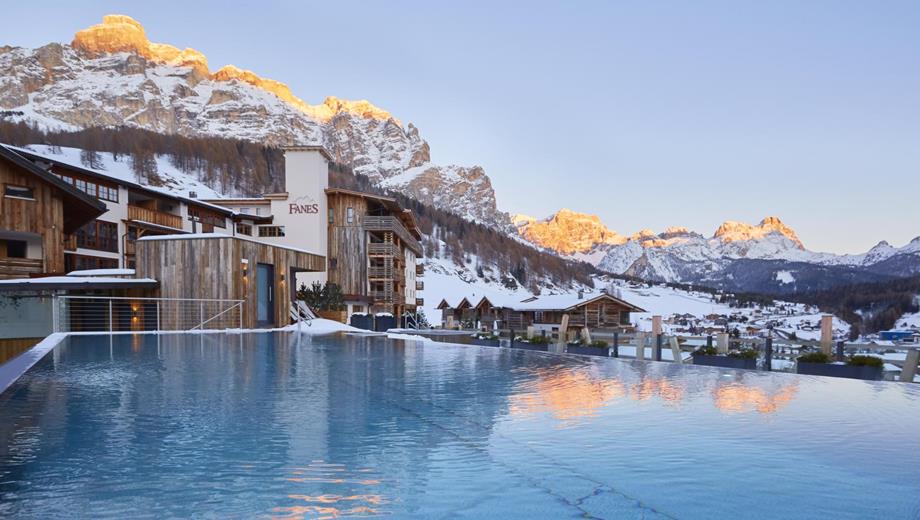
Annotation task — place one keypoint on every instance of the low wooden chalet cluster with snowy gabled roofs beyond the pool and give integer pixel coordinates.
(599, 310)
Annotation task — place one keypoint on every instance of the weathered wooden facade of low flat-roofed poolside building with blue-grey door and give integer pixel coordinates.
(206, 267)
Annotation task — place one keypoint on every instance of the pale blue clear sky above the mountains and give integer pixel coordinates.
(649, 114)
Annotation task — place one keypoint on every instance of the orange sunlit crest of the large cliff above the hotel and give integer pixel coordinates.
(120, 33)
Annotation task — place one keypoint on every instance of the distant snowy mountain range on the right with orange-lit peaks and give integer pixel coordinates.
(766, 257)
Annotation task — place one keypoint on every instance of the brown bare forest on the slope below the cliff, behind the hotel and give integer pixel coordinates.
(247, 168)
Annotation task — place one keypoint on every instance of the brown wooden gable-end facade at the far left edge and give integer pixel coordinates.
(42, 220)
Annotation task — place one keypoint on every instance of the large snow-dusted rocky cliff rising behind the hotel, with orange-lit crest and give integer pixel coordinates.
(111, 74)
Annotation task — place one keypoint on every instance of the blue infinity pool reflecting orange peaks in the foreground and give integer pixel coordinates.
(276, 425)
